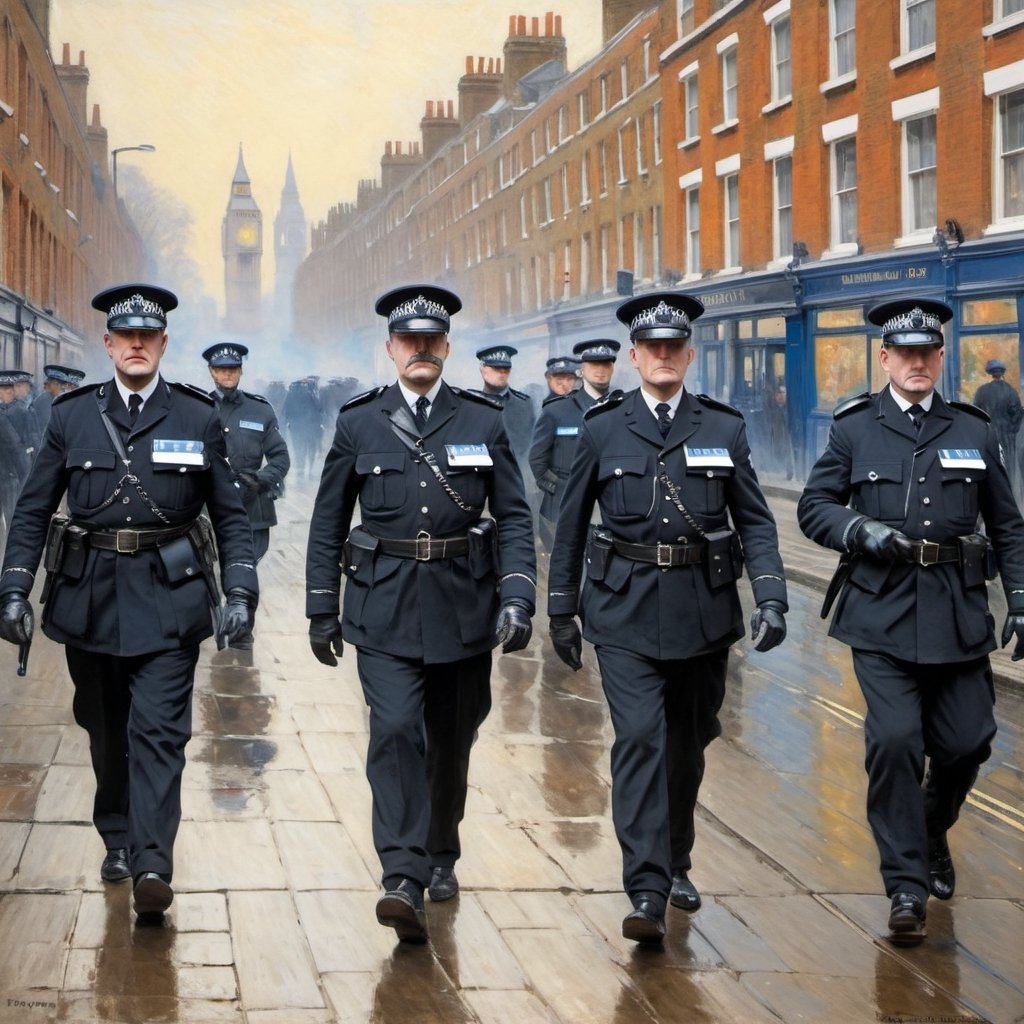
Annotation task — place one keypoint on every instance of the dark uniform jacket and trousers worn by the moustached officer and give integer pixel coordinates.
(424, 630)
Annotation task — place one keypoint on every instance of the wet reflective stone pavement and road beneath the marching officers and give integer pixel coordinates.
(277, 878)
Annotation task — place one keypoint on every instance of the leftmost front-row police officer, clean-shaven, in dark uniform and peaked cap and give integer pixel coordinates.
(126, 591)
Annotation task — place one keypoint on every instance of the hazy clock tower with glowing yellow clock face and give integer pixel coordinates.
(242, 244)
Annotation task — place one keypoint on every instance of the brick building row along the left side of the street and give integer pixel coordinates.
(64, 236)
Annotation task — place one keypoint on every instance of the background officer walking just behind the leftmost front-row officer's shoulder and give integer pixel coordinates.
(257, 451)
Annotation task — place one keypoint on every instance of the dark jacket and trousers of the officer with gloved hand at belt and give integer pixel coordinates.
(900, 616)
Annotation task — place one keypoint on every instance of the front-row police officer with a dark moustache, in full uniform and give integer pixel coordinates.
(432, 587)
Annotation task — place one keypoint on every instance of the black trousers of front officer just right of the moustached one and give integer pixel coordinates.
(664, 715)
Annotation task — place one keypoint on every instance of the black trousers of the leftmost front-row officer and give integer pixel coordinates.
(138, 712)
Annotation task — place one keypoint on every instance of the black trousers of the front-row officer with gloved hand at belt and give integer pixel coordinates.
(944, 712)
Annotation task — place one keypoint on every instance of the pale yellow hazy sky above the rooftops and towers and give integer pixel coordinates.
(328, 80)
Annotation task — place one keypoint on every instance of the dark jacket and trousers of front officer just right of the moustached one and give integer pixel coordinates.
(653, 625)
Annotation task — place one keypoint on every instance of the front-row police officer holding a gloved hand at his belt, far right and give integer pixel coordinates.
(899, 491)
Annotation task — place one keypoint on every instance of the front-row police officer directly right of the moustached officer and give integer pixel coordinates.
(672, 476)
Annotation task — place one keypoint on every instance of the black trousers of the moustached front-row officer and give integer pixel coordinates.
(423, 721)
